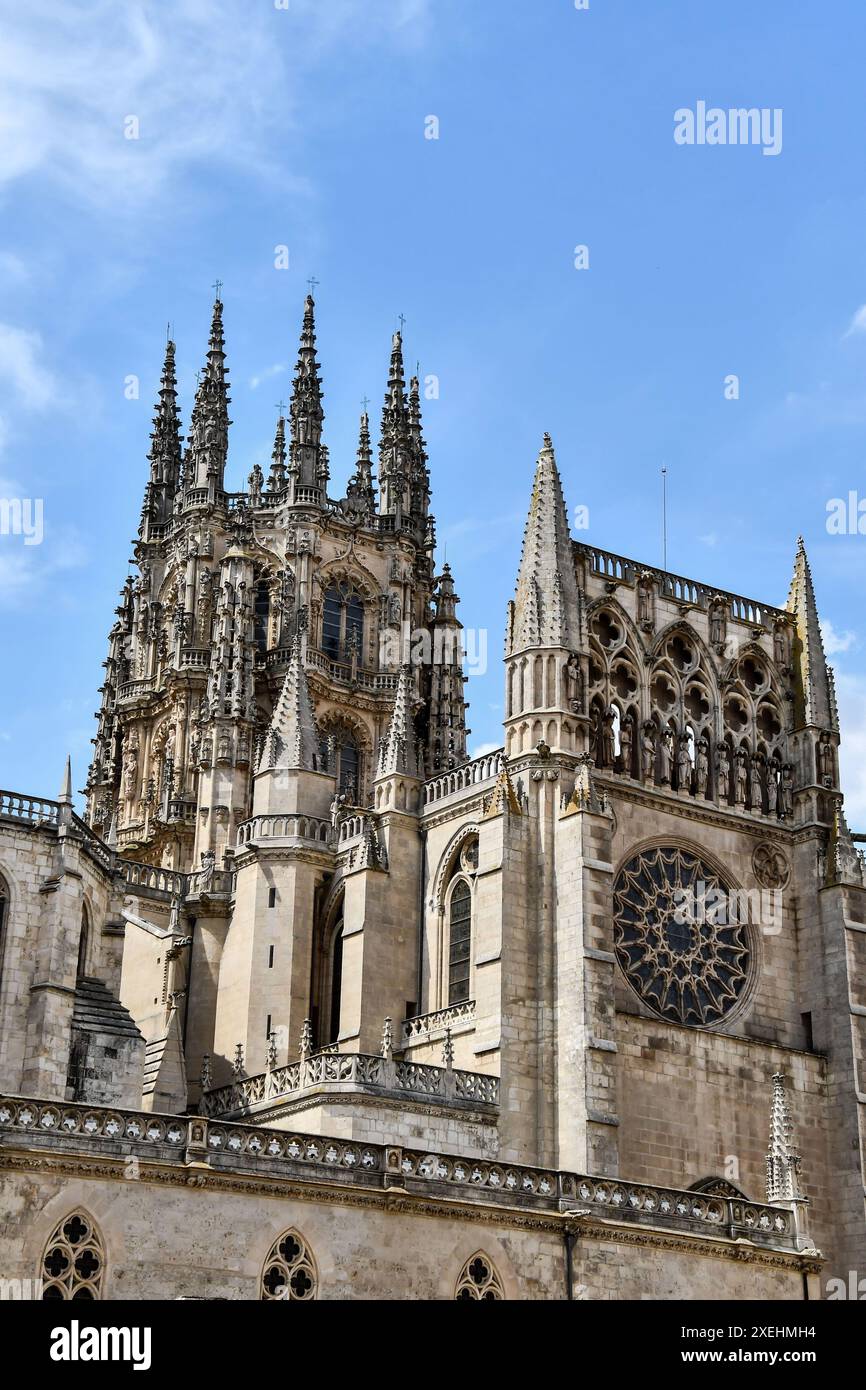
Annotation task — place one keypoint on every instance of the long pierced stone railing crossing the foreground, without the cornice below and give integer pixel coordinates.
(69, 1128)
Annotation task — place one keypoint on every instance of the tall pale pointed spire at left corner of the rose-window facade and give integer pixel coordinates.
(547, 607)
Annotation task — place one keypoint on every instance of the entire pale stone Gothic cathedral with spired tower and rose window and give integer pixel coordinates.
(309, 1004)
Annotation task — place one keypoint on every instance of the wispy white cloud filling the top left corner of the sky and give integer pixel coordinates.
(209, 85)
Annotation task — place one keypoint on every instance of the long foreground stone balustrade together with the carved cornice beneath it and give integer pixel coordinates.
(197, 1152)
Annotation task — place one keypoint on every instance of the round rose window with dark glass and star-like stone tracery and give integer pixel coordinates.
(680, 936)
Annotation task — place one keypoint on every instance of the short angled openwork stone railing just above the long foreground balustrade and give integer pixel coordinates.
(351, 1071)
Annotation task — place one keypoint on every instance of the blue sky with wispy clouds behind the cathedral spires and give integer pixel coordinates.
(305, 127)
